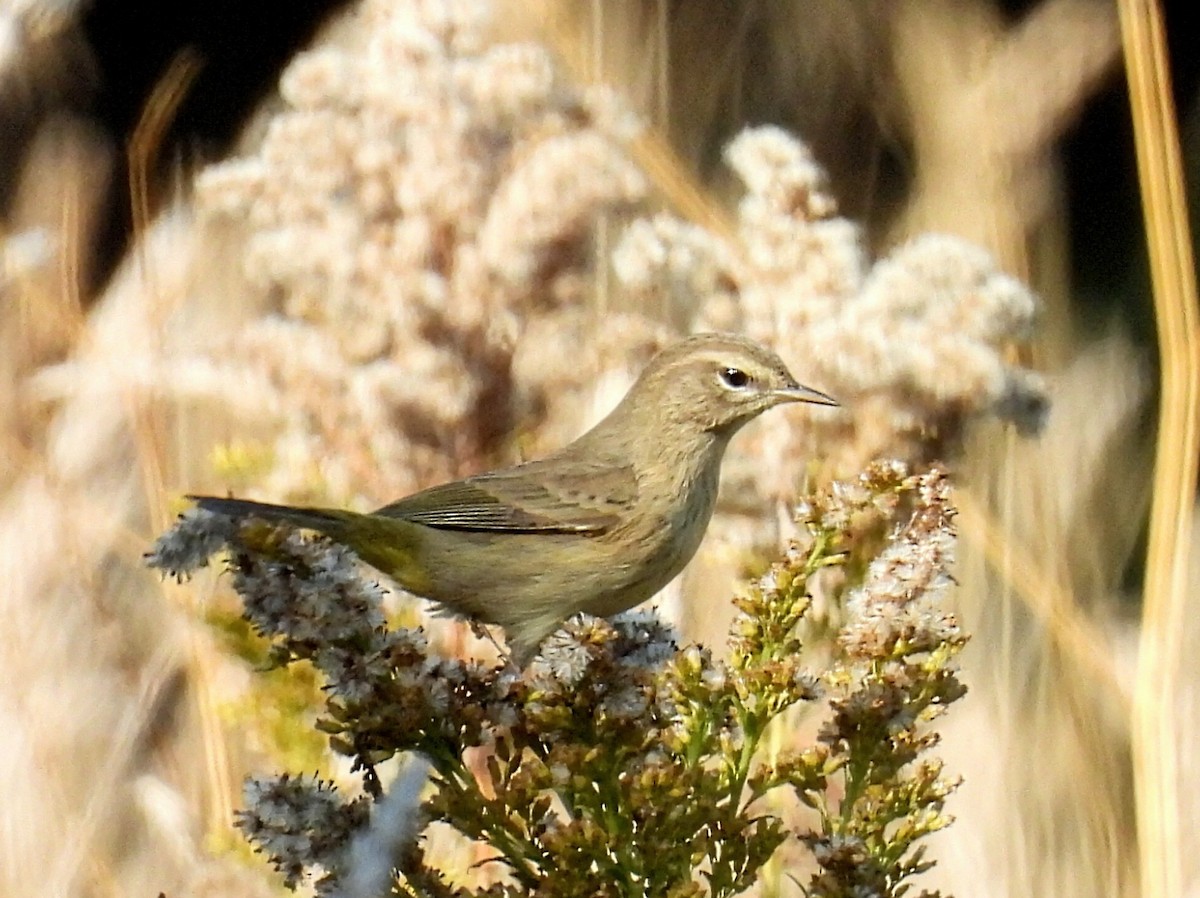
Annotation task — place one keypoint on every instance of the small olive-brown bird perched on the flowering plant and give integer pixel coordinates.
(596, 528)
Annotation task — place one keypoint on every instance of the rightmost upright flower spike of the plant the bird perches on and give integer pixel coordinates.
(892, 681)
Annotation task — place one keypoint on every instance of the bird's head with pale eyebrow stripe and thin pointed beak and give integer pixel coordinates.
(716, 384)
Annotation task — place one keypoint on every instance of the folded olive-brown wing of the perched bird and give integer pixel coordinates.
(551, 496)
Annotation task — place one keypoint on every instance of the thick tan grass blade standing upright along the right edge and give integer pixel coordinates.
(1173, 273)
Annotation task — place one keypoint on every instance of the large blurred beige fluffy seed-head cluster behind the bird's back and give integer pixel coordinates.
(418, 214)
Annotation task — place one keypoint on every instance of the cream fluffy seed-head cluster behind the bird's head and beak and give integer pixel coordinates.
(911, 345)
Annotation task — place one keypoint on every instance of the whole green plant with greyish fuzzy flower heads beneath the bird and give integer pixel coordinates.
(619, 763)
